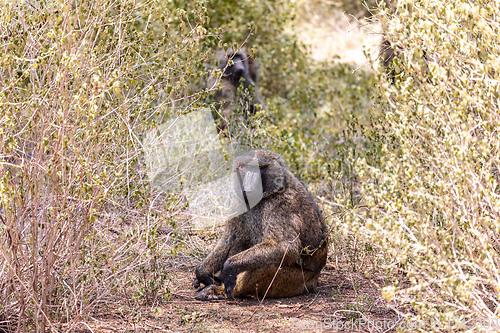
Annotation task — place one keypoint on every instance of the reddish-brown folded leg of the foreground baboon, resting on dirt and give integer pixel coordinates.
(290, 281)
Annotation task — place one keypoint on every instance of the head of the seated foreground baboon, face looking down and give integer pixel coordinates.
(258, 174)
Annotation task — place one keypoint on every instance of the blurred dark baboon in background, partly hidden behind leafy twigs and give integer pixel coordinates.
(238, 68)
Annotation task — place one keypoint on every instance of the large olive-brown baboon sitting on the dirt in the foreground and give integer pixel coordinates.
(277, 247)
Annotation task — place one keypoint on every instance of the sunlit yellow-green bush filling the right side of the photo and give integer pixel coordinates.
(434, 199)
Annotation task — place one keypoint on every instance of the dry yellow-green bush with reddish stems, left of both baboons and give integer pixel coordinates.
(80, 83)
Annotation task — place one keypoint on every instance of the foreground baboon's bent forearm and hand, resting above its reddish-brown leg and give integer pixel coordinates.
(267, 253)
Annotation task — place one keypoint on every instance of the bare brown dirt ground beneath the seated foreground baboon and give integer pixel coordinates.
(346, 302)
